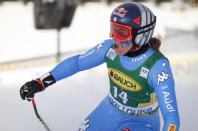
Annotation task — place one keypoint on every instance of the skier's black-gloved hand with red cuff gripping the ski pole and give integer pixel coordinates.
(30, 88)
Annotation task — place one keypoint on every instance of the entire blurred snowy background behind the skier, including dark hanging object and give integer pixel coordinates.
(37, 34)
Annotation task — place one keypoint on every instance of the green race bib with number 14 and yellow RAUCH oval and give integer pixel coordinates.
(129, 90)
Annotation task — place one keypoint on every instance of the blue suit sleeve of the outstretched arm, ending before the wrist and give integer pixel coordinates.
(90, 59)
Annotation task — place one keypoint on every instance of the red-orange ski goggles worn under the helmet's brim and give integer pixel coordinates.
(120, 32)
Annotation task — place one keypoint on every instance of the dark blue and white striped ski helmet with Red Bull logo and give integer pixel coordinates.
(139, 17)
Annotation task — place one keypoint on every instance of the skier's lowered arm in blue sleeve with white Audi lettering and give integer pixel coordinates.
(161, 79)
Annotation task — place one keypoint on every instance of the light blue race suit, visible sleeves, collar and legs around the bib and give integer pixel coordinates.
(106, 117)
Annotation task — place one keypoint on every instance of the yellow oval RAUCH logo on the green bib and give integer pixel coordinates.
(124, 81)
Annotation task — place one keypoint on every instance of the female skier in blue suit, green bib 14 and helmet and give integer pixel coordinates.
(140, 76)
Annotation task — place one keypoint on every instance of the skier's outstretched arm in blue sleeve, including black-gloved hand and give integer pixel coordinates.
(68, 67)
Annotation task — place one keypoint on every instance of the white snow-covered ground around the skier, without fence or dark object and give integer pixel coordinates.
(64, 105)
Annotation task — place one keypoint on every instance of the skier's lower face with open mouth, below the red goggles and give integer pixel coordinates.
(120, 47)
